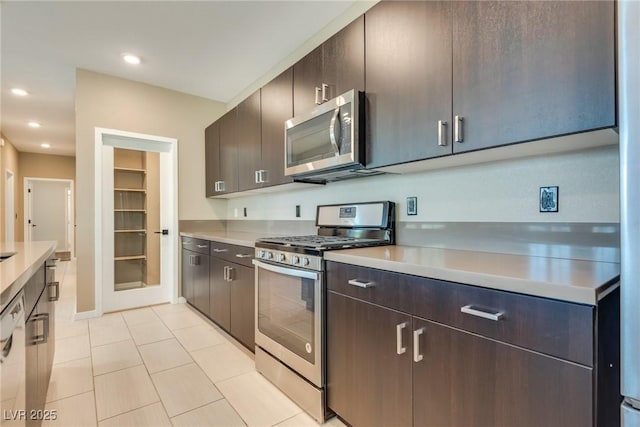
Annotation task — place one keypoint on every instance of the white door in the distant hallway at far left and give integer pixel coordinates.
(48, 213)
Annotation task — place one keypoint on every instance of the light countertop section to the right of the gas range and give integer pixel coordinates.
(564, 279)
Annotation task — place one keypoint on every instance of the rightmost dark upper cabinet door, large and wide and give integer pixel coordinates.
(529, 70)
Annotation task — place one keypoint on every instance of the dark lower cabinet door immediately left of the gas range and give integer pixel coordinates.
(242, 296)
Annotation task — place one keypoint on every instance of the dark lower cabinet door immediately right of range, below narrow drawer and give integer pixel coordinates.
(368, 383)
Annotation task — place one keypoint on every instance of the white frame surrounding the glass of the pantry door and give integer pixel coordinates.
(118, 138)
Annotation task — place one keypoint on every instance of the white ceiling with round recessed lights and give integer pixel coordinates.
(213, 49)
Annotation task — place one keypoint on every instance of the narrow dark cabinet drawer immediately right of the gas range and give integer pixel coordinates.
(383, 288)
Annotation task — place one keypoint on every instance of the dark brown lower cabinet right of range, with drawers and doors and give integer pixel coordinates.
(393, 361)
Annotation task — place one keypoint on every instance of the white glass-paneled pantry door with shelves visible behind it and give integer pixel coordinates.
(138, 220)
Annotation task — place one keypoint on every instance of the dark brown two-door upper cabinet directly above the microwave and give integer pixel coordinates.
(334, 67)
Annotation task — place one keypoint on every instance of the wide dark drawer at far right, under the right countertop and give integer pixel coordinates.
(552, 327)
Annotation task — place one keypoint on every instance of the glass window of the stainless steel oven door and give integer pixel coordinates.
(286, 312)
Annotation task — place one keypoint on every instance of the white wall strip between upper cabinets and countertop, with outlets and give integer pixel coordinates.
(504, 191)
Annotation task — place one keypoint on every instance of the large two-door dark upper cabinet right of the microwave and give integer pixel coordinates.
(447, 77)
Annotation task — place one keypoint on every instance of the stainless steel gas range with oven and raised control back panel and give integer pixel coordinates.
(291, 295)
